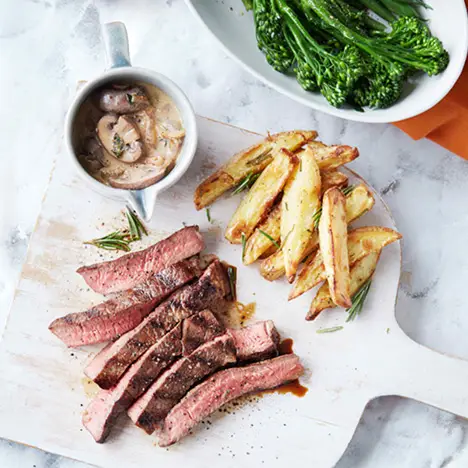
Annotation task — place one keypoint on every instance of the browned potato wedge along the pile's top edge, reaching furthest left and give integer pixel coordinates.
(250, 161)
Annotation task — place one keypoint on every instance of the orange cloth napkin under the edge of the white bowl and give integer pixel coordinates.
(447, 122)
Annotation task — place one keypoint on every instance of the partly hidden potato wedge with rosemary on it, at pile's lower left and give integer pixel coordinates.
(259, 242)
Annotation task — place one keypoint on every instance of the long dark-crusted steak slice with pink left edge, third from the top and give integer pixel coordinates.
(109, 365)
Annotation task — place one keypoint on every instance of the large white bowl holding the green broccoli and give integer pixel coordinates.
(233, 27)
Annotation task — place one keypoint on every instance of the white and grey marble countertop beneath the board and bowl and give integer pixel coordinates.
(46, 46)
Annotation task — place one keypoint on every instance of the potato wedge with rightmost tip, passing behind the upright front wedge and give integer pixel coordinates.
(361, 242)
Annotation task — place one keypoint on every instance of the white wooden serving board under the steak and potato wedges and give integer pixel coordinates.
(42, 391)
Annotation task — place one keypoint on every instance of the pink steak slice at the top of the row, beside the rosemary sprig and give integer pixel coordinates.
(129, 270)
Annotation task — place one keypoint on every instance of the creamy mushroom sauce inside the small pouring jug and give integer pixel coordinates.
(128, 136)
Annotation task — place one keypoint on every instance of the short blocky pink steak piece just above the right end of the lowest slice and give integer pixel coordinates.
(256, 342)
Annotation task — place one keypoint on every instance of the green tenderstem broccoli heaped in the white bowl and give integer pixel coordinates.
(336, 48)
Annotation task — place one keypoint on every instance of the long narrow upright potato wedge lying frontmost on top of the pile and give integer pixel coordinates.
(333, 241)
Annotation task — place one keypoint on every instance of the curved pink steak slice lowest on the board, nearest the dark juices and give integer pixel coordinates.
(223, 387)
